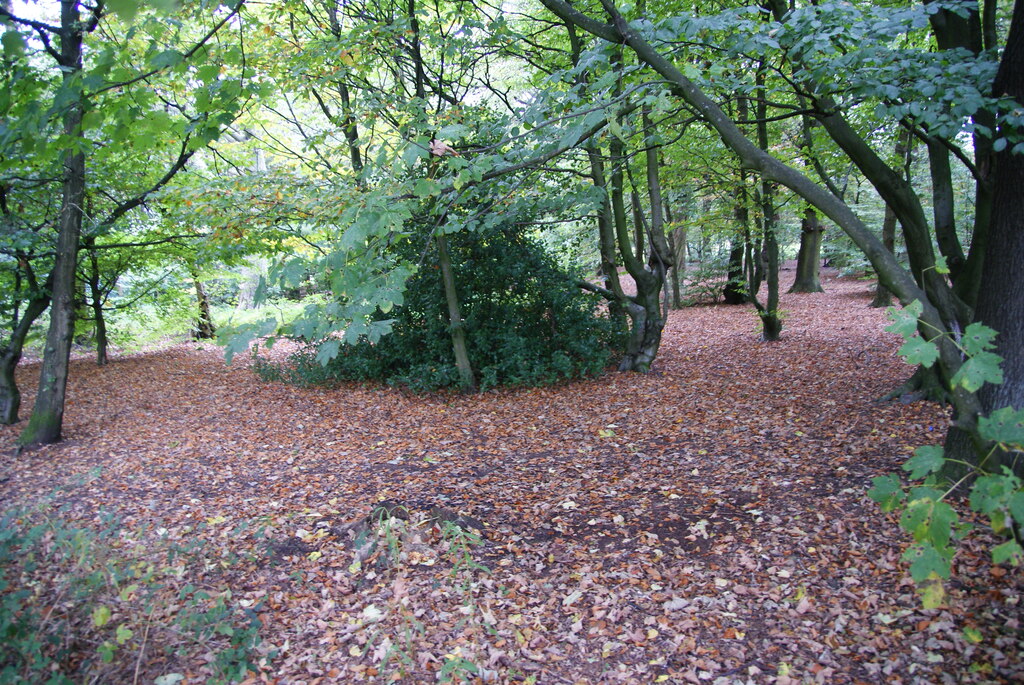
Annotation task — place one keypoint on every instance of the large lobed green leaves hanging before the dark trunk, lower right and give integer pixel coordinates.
(997, 494)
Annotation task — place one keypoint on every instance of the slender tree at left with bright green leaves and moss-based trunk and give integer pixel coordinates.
(120, 111)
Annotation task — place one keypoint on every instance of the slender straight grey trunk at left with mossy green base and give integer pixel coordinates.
(48, 416)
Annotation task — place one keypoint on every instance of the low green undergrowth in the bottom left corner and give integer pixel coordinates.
(79, 606)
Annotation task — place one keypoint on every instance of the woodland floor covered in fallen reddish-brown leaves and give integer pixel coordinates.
(706, 523)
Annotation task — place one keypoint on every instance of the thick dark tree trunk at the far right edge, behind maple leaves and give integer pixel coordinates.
(1001, 297)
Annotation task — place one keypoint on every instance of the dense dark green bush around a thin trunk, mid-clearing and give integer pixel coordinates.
(527, 324)
